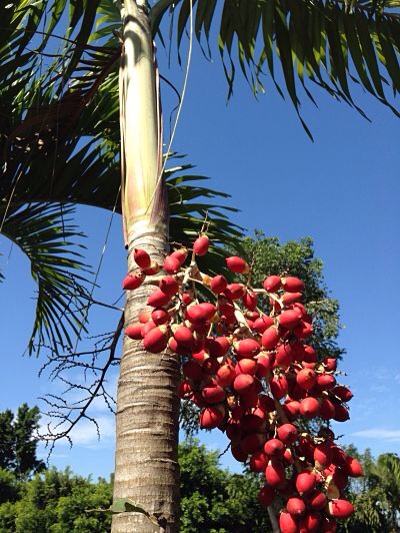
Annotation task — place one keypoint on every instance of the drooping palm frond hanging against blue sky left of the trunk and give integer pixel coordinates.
(44, 233)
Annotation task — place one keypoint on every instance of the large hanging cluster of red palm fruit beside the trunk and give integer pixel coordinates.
(253, 376)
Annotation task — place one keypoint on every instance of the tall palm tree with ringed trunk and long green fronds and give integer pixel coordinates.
(60, 143)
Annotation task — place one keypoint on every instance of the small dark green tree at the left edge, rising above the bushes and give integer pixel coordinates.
(18, 442)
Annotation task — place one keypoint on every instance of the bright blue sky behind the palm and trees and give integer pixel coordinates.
(342, 190)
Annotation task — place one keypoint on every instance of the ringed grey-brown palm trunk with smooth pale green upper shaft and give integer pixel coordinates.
(146, 464)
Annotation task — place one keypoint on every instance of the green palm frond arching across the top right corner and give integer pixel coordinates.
(331, 43)
